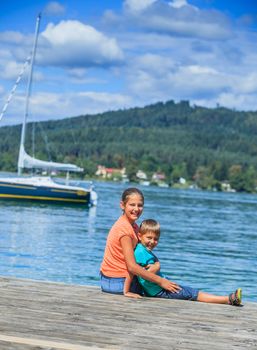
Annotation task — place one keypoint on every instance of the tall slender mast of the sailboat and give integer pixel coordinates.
(23, 130)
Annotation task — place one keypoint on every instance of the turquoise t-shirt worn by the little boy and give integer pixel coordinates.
(145, 257)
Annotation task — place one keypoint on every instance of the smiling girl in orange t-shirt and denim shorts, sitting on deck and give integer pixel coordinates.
(118, 261)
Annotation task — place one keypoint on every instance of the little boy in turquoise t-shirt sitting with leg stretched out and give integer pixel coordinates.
(149, 234)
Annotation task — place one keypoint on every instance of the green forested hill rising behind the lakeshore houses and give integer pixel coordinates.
(207, 145)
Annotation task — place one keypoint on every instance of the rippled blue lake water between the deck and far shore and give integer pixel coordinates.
(208, 240)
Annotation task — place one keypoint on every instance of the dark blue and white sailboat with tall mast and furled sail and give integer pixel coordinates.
(42, 188)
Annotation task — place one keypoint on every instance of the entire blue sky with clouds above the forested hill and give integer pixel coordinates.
(96, 56)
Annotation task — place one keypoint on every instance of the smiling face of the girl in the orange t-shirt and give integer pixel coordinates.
(133, 207)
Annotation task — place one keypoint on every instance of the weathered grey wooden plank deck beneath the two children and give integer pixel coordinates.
(37, 315)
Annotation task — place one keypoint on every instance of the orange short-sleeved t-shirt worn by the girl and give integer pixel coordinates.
(113, 264)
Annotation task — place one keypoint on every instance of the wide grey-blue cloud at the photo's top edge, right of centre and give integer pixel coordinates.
(176, 18)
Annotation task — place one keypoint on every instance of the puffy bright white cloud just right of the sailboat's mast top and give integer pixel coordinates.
(74, 44)
